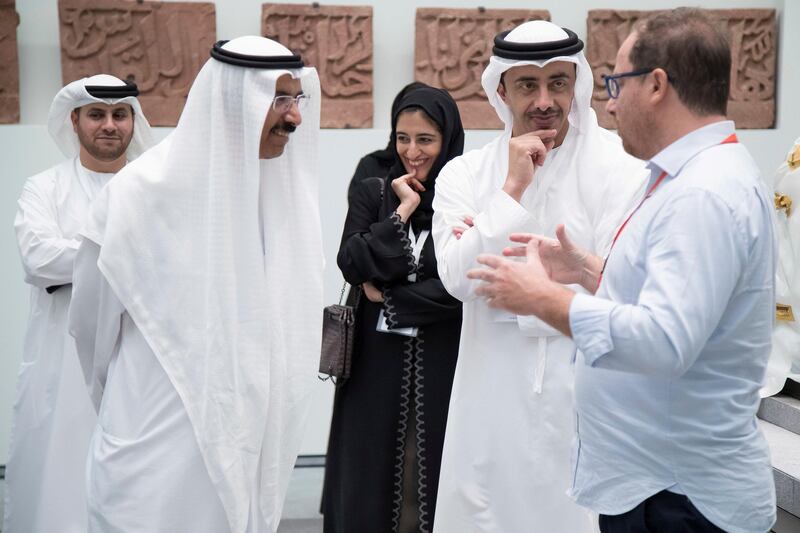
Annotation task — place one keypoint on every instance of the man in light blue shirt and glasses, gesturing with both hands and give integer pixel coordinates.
(674, 342)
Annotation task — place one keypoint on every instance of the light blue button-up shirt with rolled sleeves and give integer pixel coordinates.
(674, 345)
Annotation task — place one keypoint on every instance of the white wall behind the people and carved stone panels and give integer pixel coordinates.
(26, 148)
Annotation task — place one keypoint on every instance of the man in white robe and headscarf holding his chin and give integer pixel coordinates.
(505, 464)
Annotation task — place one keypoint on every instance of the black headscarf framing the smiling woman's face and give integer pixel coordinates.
(442, 110)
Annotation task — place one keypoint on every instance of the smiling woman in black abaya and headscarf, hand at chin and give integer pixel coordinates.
(388, 424)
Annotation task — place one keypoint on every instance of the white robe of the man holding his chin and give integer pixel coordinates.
(506, 458)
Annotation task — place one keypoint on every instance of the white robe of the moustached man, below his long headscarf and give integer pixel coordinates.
(145, 471)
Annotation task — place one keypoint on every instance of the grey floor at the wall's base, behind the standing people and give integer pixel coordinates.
(301, 511)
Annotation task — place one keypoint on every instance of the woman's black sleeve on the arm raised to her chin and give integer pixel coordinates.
(372, 249)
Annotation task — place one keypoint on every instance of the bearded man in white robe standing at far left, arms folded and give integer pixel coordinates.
(99, 126)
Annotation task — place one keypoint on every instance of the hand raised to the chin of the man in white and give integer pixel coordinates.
(525, 153)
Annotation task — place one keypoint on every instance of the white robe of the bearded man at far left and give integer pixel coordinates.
(53, 418)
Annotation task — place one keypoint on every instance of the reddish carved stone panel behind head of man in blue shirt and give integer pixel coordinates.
(752, 34)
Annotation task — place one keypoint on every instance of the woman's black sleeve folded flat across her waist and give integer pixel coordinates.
(419, 304)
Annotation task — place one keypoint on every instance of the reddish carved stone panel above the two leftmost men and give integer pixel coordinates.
(159, 45)
